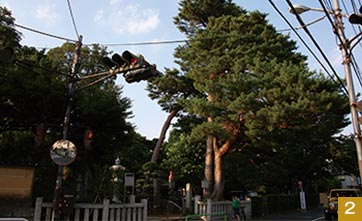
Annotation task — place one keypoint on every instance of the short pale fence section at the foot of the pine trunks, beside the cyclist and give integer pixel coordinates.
(210, 207)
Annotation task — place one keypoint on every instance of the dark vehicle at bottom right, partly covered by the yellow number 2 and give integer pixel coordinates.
(331, 211)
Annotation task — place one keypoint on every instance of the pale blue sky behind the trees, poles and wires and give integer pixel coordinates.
(120, 22)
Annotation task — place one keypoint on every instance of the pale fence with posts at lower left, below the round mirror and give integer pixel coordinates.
(92, 212)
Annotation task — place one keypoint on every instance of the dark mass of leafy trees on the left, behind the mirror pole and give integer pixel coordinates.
(33, 93)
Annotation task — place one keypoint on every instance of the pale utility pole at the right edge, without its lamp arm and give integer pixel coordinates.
(345, 49)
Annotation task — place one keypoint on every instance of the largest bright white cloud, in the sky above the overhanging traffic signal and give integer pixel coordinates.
(129, 19)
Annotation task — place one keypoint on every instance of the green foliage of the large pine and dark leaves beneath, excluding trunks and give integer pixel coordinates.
(259, 88)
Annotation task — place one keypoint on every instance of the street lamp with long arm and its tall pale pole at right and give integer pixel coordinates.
(346, 49)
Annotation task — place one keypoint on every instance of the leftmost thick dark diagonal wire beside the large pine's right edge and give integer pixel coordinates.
(343, 88)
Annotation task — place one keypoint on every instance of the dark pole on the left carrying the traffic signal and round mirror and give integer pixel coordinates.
(66, 124)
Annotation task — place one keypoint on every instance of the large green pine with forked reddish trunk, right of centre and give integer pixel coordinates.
(259, 90)
